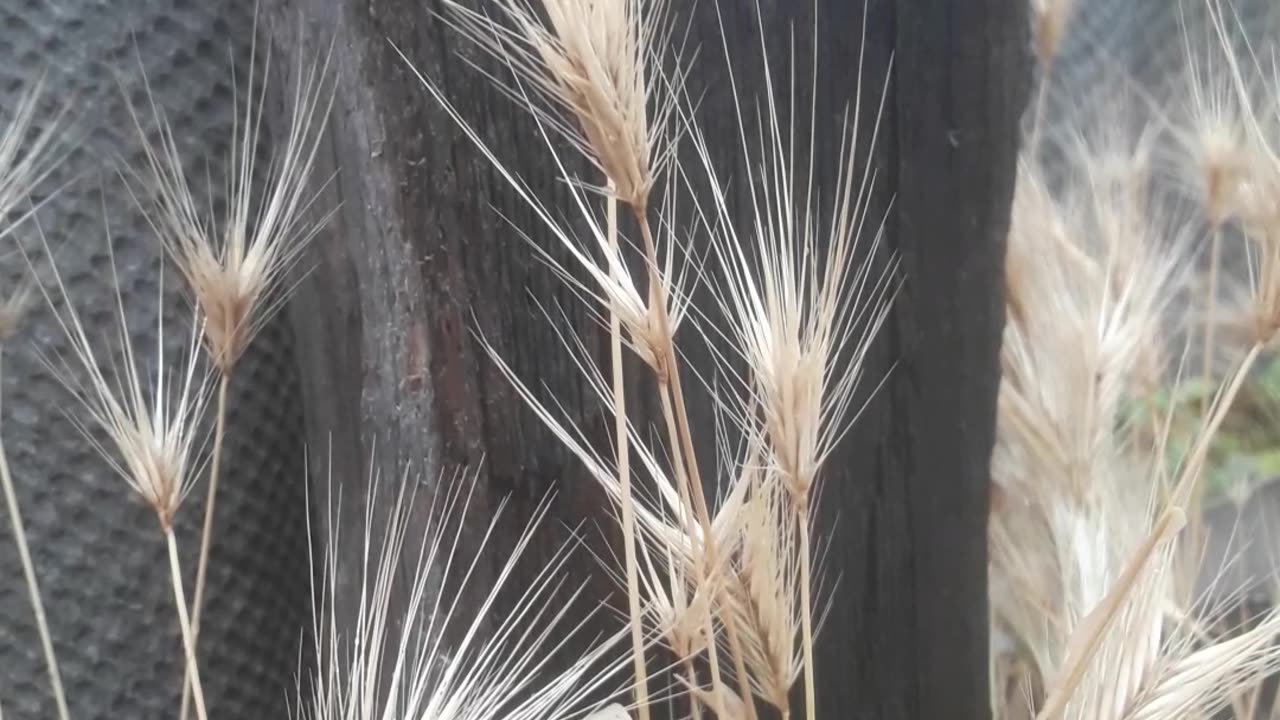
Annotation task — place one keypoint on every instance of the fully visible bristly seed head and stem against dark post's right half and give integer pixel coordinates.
(802, 311)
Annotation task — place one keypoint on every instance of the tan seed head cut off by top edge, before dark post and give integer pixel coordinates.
(600, 62)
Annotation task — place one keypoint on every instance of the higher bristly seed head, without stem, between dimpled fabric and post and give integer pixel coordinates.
(237, 270)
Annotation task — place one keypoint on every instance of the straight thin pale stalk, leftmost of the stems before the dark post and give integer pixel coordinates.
(621, 439)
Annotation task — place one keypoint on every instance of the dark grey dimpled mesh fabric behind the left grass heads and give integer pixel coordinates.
(98, 552)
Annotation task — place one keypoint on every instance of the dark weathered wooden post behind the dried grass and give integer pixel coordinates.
(418, 259)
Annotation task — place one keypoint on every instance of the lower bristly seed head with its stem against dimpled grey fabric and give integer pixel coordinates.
(153, 425)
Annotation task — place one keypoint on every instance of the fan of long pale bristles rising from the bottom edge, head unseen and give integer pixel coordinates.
(420, 651)
